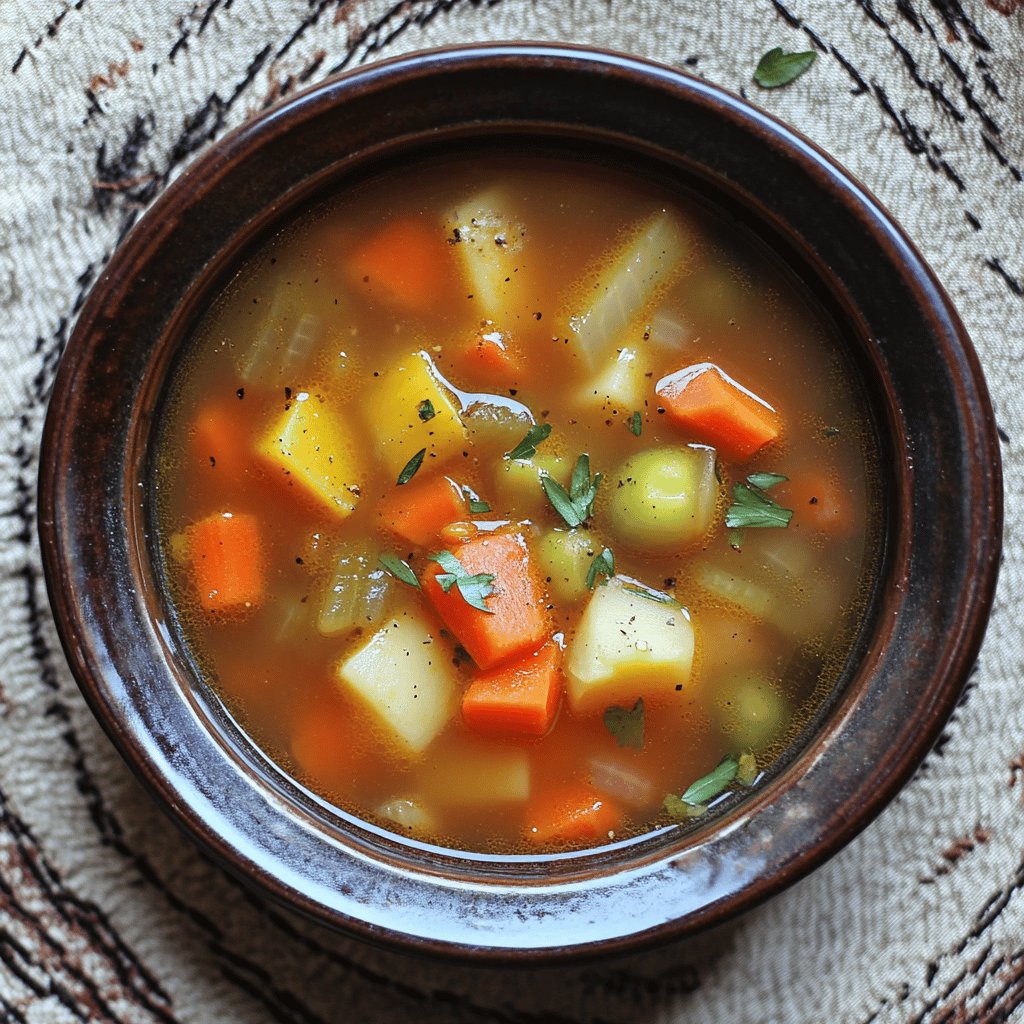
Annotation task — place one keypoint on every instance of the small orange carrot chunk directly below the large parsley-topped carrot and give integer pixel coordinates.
(520, 698)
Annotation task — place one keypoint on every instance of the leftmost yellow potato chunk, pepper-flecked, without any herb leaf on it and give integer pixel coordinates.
(314, 446)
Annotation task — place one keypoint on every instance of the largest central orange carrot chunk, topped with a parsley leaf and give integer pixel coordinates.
(518, 621)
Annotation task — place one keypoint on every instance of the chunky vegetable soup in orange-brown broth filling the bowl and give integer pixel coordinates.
(518, 504)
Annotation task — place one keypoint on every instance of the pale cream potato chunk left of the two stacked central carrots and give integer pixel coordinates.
(405, 676)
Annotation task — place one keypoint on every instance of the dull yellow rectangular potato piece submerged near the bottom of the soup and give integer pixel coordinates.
(481, 775)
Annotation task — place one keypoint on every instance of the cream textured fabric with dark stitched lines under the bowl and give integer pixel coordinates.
(106, 913)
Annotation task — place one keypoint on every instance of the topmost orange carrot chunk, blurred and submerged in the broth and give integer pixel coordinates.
(406, 261)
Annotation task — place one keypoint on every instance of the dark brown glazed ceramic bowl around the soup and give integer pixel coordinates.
(943, 497)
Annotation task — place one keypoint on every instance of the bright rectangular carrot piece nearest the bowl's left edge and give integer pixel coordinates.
(227, 554)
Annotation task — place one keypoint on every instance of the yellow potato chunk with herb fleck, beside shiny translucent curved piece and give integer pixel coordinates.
(393, 408)
